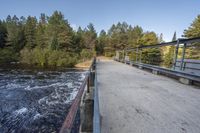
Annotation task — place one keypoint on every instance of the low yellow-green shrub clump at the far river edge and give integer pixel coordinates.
(49, 58)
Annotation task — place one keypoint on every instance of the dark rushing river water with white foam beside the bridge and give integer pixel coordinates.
(36, 101)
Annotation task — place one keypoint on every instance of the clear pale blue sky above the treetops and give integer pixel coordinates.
(160, 16)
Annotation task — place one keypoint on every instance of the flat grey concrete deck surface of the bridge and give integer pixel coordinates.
(135, 101)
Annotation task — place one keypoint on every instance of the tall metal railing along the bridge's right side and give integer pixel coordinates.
(173, 72)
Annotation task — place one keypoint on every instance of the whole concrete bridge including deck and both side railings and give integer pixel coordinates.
(124, 96)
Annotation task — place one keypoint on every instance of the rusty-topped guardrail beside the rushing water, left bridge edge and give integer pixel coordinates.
(85, 88)
